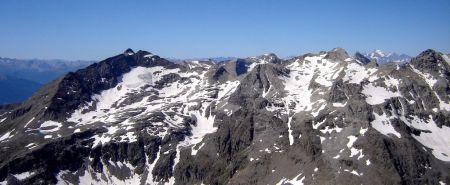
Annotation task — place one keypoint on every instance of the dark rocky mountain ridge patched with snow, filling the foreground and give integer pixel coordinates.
(324, 118)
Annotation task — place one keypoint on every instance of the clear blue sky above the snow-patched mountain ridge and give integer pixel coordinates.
(85, 29)
